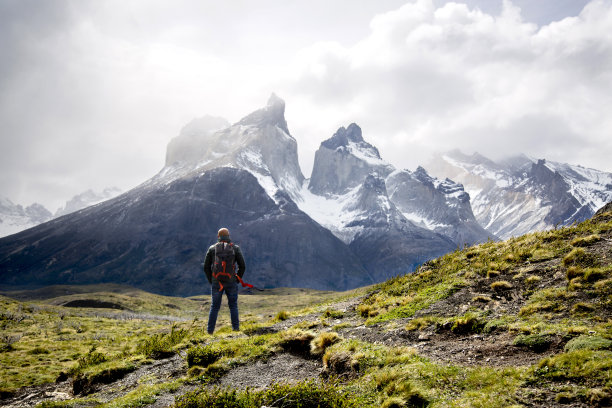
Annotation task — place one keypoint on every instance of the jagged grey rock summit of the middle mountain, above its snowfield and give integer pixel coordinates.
(343, 161)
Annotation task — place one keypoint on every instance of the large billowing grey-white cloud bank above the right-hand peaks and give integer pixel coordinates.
(433, 78)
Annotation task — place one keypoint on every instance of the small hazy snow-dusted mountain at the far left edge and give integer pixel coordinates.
(15, 218)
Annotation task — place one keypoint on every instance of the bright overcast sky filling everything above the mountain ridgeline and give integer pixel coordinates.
(91, 92)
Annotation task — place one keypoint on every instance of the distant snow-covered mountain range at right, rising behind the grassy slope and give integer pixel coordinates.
(518, 195)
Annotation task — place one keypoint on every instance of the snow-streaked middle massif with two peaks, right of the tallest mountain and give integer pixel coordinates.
(415, 203)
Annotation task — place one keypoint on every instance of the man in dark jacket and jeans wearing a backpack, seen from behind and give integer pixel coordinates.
(219, 266)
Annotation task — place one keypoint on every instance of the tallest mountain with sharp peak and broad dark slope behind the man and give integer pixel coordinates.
(155, 235)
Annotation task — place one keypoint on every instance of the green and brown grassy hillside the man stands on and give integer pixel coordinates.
(526, 322)
